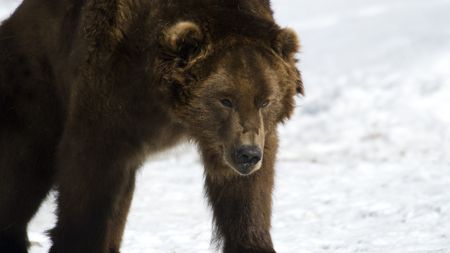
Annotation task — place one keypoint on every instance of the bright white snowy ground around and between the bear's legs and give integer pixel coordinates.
(364, 165)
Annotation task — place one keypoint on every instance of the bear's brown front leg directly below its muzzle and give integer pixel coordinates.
(242, 206)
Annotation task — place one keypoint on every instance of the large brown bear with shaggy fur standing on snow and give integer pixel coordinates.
(89, 88)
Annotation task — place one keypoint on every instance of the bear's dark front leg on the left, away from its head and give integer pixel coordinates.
(96, 162)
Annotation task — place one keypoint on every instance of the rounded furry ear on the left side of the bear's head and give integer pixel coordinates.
(182, 42)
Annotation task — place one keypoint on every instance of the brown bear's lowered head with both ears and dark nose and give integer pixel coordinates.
(232, 86)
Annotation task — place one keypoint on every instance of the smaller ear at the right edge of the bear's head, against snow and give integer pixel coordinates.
(287, 44)
